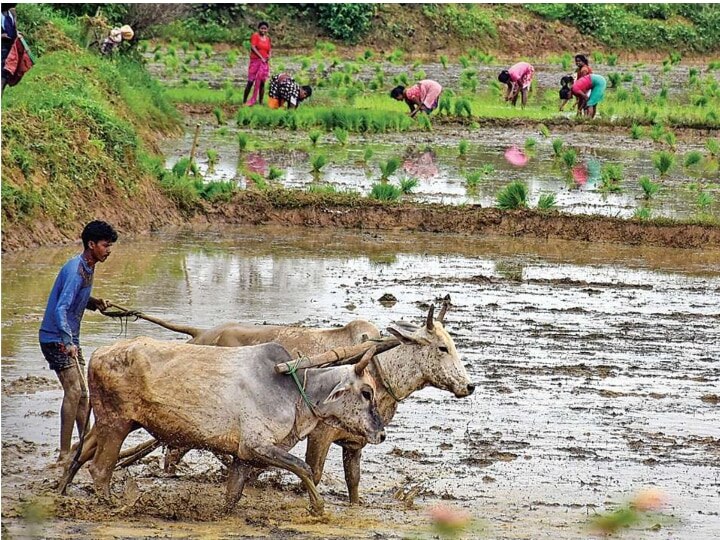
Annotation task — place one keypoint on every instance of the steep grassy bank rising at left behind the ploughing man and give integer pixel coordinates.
(78, 132)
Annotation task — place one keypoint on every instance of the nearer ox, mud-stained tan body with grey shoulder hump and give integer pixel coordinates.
(226, 400)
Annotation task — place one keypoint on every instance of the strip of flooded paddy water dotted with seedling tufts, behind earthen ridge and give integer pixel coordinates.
(433, 160)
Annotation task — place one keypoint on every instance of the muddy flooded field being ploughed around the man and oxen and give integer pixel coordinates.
(598, 370)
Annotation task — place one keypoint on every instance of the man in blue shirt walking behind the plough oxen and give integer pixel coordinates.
(60, 329)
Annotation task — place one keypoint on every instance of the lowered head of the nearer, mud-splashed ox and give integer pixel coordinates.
(351, 405)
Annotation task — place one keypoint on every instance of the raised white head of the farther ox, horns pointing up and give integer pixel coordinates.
(436, 355)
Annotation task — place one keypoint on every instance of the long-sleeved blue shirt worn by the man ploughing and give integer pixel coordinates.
(67, 302)
